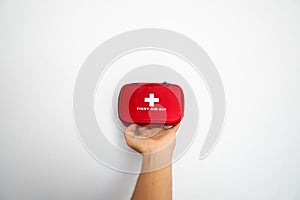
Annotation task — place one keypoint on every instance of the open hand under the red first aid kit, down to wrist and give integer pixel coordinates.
(151, 138)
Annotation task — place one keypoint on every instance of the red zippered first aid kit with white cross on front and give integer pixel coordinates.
(151, 103)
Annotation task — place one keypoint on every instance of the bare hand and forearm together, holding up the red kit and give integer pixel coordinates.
(156, 144)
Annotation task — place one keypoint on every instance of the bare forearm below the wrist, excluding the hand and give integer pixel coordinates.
(154, 184)
